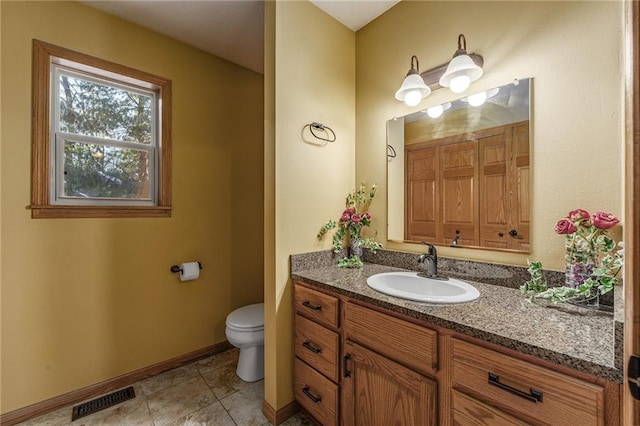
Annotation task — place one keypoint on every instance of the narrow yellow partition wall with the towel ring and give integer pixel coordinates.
(314, 81)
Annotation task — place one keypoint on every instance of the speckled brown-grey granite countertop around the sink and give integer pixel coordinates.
(578, 338)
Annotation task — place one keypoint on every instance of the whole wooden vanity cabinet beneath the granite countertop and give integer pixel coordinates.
(374, 368)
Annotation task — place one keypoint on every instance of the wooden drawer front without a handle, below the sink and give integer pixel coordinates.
(402, 341)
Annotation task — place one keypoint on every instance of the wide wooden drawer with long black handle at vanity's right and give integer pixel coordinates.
(531, 392)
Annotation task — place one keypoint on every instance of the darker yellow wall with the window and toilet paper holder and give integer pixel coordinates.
(85, 300)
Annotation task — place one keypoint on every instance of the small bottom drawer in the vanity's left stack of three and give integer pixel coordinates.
(316, 394)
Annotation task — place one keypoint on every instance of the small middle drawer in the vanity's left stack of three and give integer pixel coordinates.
(317, 346)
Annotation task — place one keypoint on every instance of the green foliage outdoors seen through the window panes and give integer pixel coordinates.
(104, 169)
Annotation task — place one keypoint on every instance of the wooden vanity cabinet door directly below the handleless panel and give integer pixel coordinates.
(378, 391)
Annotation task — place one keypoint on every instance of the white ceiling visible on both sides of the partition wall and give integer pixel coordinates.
(230, 29)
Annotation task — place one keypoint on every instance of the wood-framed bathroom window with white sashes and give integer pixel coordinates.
(101, 144)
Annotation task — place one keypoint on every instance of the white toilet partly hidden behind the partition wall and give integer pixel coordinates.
(245, 330)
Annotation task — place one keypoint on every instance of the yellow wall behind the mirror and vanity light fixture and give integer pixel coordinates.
(572, 50)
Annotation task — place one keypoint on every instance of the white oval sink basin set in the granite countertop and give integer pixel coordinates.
(408, 285)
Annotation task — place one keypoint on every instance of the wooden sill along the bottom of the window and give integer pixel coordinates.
(55, 211)
